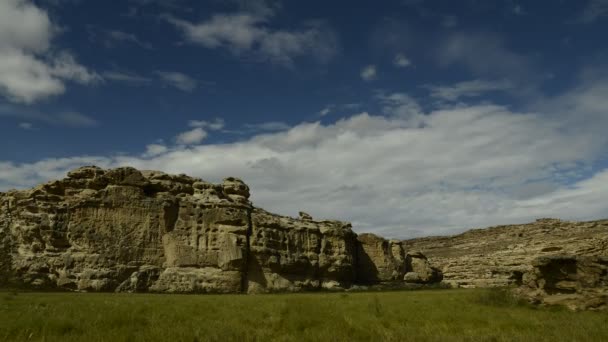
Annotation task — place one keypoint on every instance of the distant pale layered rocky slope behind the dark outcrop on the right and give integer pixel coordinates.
(500, 256)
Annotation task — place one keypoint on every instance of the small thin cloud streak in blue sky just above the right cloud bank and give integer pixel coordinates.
(471, 88)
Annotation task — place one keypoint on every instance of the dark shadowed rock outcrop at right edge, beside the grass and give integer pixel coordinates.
(579, 283)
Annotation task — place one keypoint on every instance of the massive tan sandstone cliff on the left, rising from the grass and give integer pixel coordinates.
(135, 231)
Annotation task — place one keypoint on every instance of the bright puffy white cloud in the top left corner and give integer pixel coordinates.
(29, 71)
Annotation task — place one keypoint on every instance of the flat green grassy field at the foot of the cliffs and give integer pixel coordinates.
(430, 315)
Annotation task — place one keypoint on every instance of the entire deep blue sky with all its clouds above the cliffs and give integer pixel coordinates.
(408, 118)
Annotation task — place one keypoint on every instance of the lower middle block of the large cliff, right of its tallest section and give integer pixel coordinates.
(289, 255)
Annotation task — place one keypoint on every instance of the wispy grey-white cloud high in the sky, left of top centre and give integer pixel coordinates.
(249, 32)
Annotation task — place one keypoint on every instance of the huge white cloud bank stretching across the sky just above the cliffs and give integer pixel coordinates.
(399, 175)
